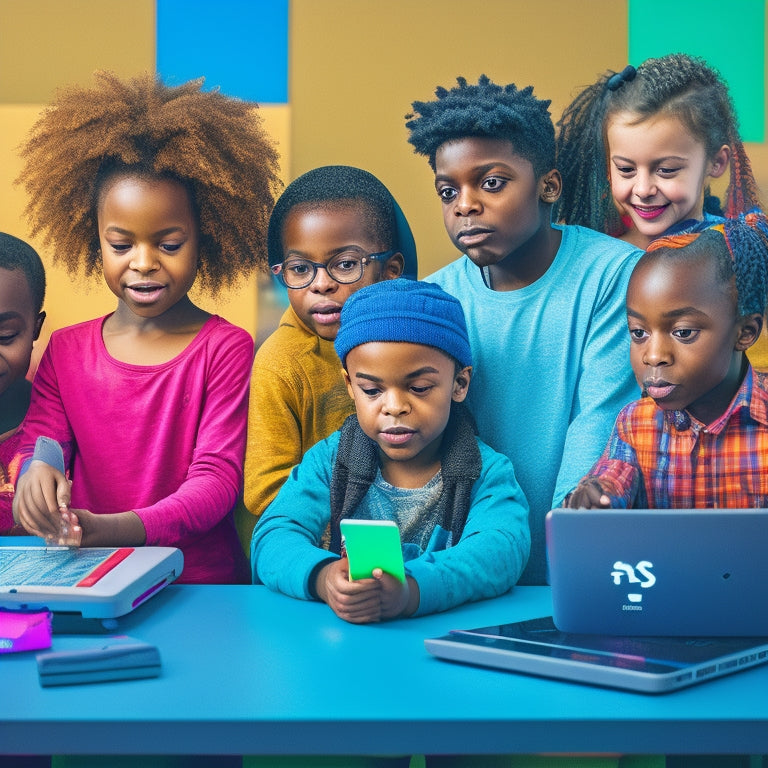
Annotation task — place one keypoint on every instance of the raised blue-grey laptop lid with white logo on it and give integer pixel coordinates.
(640, 572)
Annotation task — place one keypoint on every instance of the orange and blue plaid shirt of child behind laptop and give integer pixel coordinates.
(667, 459)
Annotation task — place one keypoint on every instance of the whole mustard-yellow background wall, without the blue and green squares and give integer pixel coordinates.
(355, 66)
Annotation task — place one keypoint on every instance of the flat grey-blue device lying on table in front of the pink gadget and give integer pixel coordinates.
(115, 658)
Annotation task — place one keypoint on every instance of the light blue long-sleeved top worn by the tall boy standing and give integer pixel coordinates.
(551, 366)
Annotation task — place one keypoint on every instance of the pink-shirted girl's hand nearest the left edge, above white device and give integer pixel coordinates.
(41, 505)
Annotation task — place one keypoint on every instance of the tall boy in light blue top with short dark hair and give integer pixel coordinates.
(544, 303)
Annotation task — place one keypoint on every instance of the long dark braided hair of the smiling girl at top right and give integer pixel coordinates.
(676, 85)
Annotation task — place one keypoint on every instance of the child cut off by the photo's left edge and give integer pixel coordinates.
(22, 291)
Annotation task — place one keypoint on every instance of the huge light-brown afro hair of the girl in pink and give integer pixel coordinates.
(214, 145)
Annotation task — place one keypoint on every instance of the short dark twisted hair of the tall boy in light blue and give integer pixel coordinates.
(489, 111)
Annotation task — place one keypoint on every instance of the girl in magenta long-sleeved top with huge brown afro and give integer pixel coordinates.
(156, 187)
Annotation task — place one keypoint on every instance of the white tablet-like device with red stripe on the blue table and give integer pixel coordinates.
(94, 583)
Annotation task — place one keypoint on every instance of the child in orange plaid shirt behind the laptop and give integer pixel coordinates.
(699, 436)
